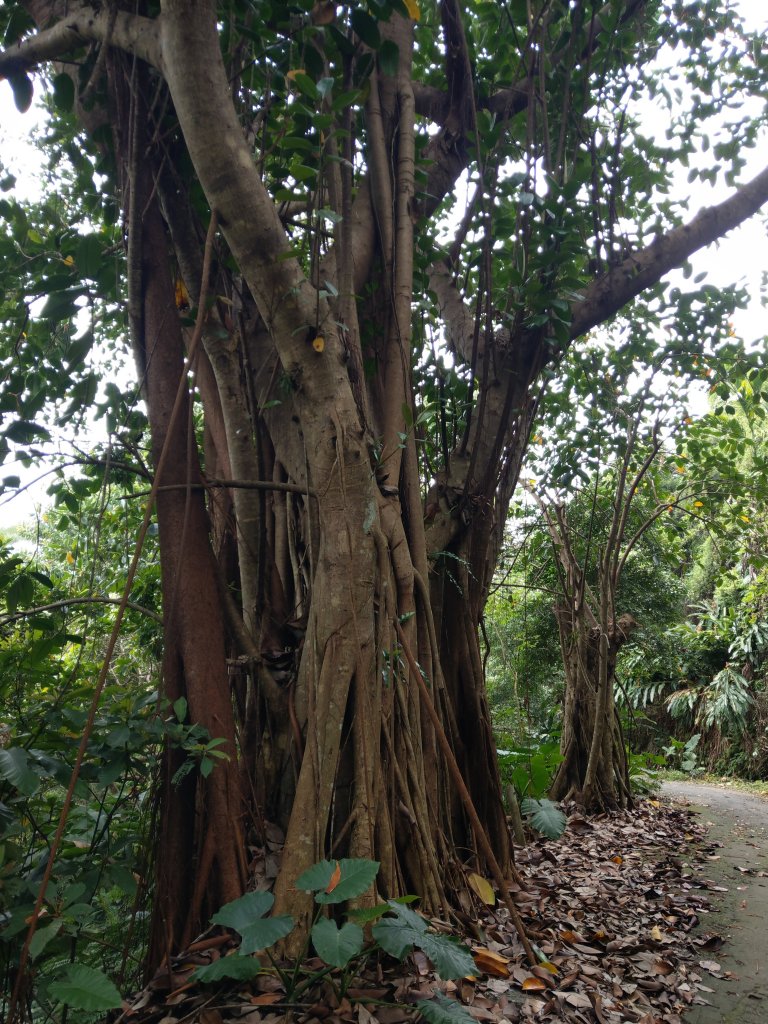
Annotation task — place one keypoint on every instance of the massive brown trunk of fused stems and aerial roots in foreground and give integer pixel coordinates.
(319, 566)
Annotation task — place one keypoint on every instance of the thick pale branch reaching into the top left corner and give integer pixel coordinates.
(132, 33)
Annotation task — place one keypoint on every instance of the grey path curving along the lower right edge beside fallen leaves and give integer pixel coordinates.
(740, 823)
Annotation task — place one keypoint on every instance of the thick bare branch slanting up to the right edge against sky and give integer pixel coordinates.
(616, 289)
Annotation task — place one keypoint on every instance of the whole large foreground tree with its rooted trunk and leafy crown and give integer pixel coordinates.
(329, 542)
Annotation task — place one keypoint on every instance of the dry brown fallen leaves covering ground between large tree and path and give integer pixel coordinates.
(611, 909)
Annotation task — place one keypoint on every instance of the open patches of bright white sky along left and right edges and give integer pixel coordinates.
(741, 259)
